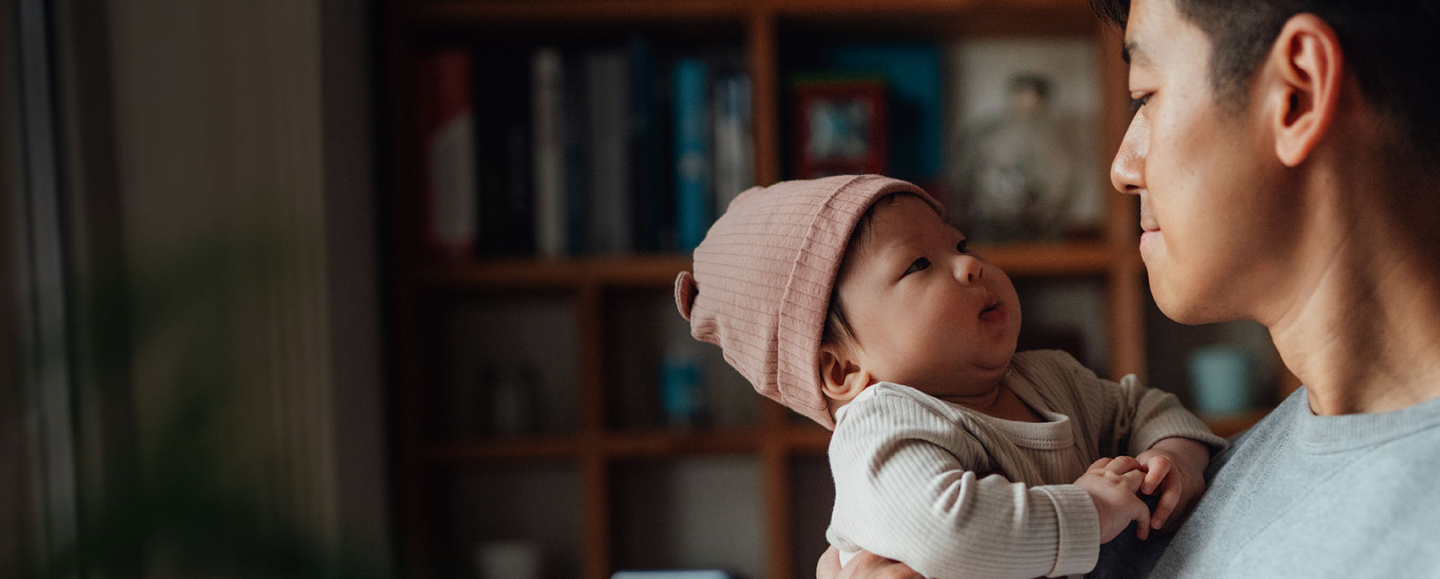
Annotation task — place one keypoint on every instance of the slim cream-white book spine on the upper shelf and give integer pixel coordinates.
(548, 112)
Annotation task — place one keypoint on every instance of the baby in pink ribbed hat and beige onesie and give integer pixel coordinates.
(852, 302)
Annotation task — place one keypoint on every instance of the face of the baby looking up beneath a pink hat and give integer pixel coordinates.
(924, 312)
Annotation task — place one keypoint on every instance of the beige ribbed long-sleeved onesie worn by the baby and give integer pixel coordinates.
(954, 493)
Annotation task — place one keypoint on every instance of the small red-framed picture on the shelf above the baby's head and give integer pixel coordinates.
(839, 126)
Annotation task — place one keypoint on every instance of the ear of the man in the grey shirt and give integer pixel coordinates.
(1305, 70)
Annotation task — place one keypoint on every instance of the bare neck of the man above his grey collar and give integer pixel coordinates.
(1363, 323)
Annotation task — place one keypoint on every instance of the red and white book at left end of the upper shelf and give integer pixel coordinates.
(449, 151)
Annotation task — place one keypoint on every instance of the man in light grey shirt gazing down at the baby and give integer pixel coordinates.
(1287, 155)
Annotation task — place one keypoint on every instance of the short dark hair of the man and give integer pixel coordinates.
(1393, 48)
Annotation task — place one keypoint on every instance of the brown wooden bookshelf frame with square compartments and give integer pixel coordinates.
(595, 449)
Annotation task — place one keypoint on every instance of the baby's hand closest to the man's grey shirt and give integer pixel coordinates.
(1177, 467)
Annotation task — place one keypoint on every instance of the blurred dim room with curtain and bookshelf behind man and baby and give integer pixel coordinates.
(385, 289)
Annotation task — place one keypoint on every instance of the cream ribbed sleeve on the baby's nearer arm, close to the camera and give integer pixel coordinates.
(912, 485)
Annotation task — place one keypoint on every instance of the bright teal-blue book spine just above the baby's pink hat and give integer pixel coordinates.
(695, 201)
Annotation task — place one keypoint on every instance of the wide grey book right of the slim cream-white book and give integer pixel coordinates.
(610, 217)
